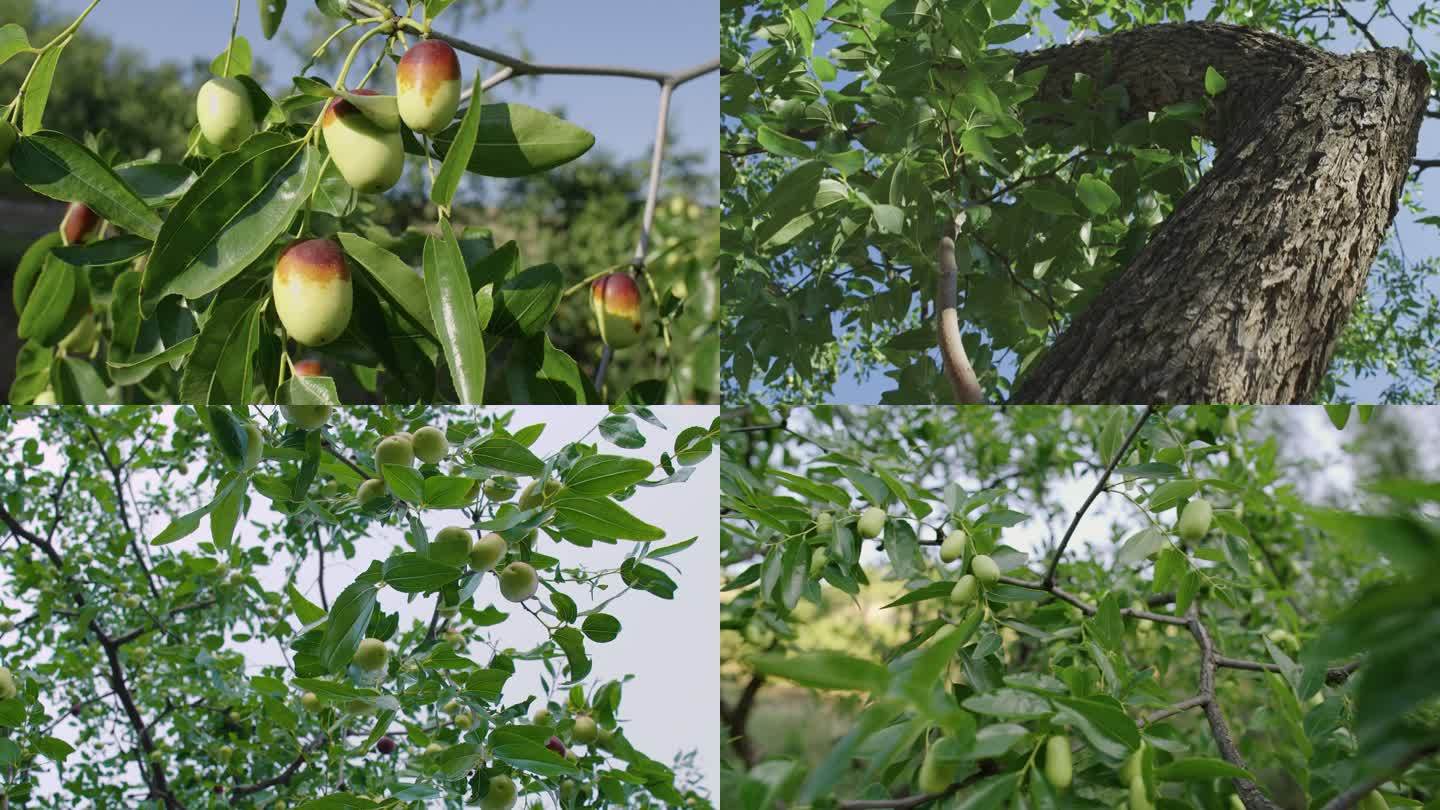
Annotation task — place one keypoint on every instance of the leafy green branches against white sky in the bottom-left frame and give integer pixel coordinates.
(140, 557)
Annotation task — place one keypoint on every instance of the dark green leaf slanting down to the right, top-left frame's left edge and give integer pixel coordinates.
(64, 169)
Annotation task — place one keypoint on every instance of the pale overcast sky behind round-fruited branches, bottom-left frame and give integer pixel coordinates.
(669, 646)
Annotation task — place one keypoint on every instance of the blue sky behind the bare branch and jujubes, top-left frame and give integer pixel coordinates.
(621, 113)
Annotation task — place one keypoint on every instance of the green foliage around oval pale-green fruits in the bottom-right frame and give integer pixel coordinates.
(839, 674)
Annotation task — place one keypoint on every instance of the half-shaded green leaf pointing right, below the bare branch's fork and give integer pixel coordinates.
(515, 141)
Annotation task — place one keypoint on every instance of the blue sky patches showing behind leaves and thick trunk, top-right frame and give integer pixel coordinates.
(1418, 241)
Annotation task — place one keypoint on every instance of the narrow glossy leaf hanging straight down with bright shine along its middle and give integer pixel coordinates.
(453, 306)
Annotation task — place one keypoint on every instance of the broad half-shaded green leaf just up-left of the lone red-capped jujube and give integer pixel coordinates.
(231, 217)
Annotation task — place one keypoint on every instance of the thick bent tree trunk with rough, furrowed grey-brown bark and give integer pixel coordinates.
(1243, 290)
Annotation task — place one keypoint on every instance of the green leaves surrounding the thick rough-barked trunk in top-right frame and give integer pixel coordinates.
(855, 130)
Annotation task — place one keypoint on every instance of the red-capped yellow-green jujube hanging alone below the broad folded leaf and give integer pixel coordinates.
(313, 292)
